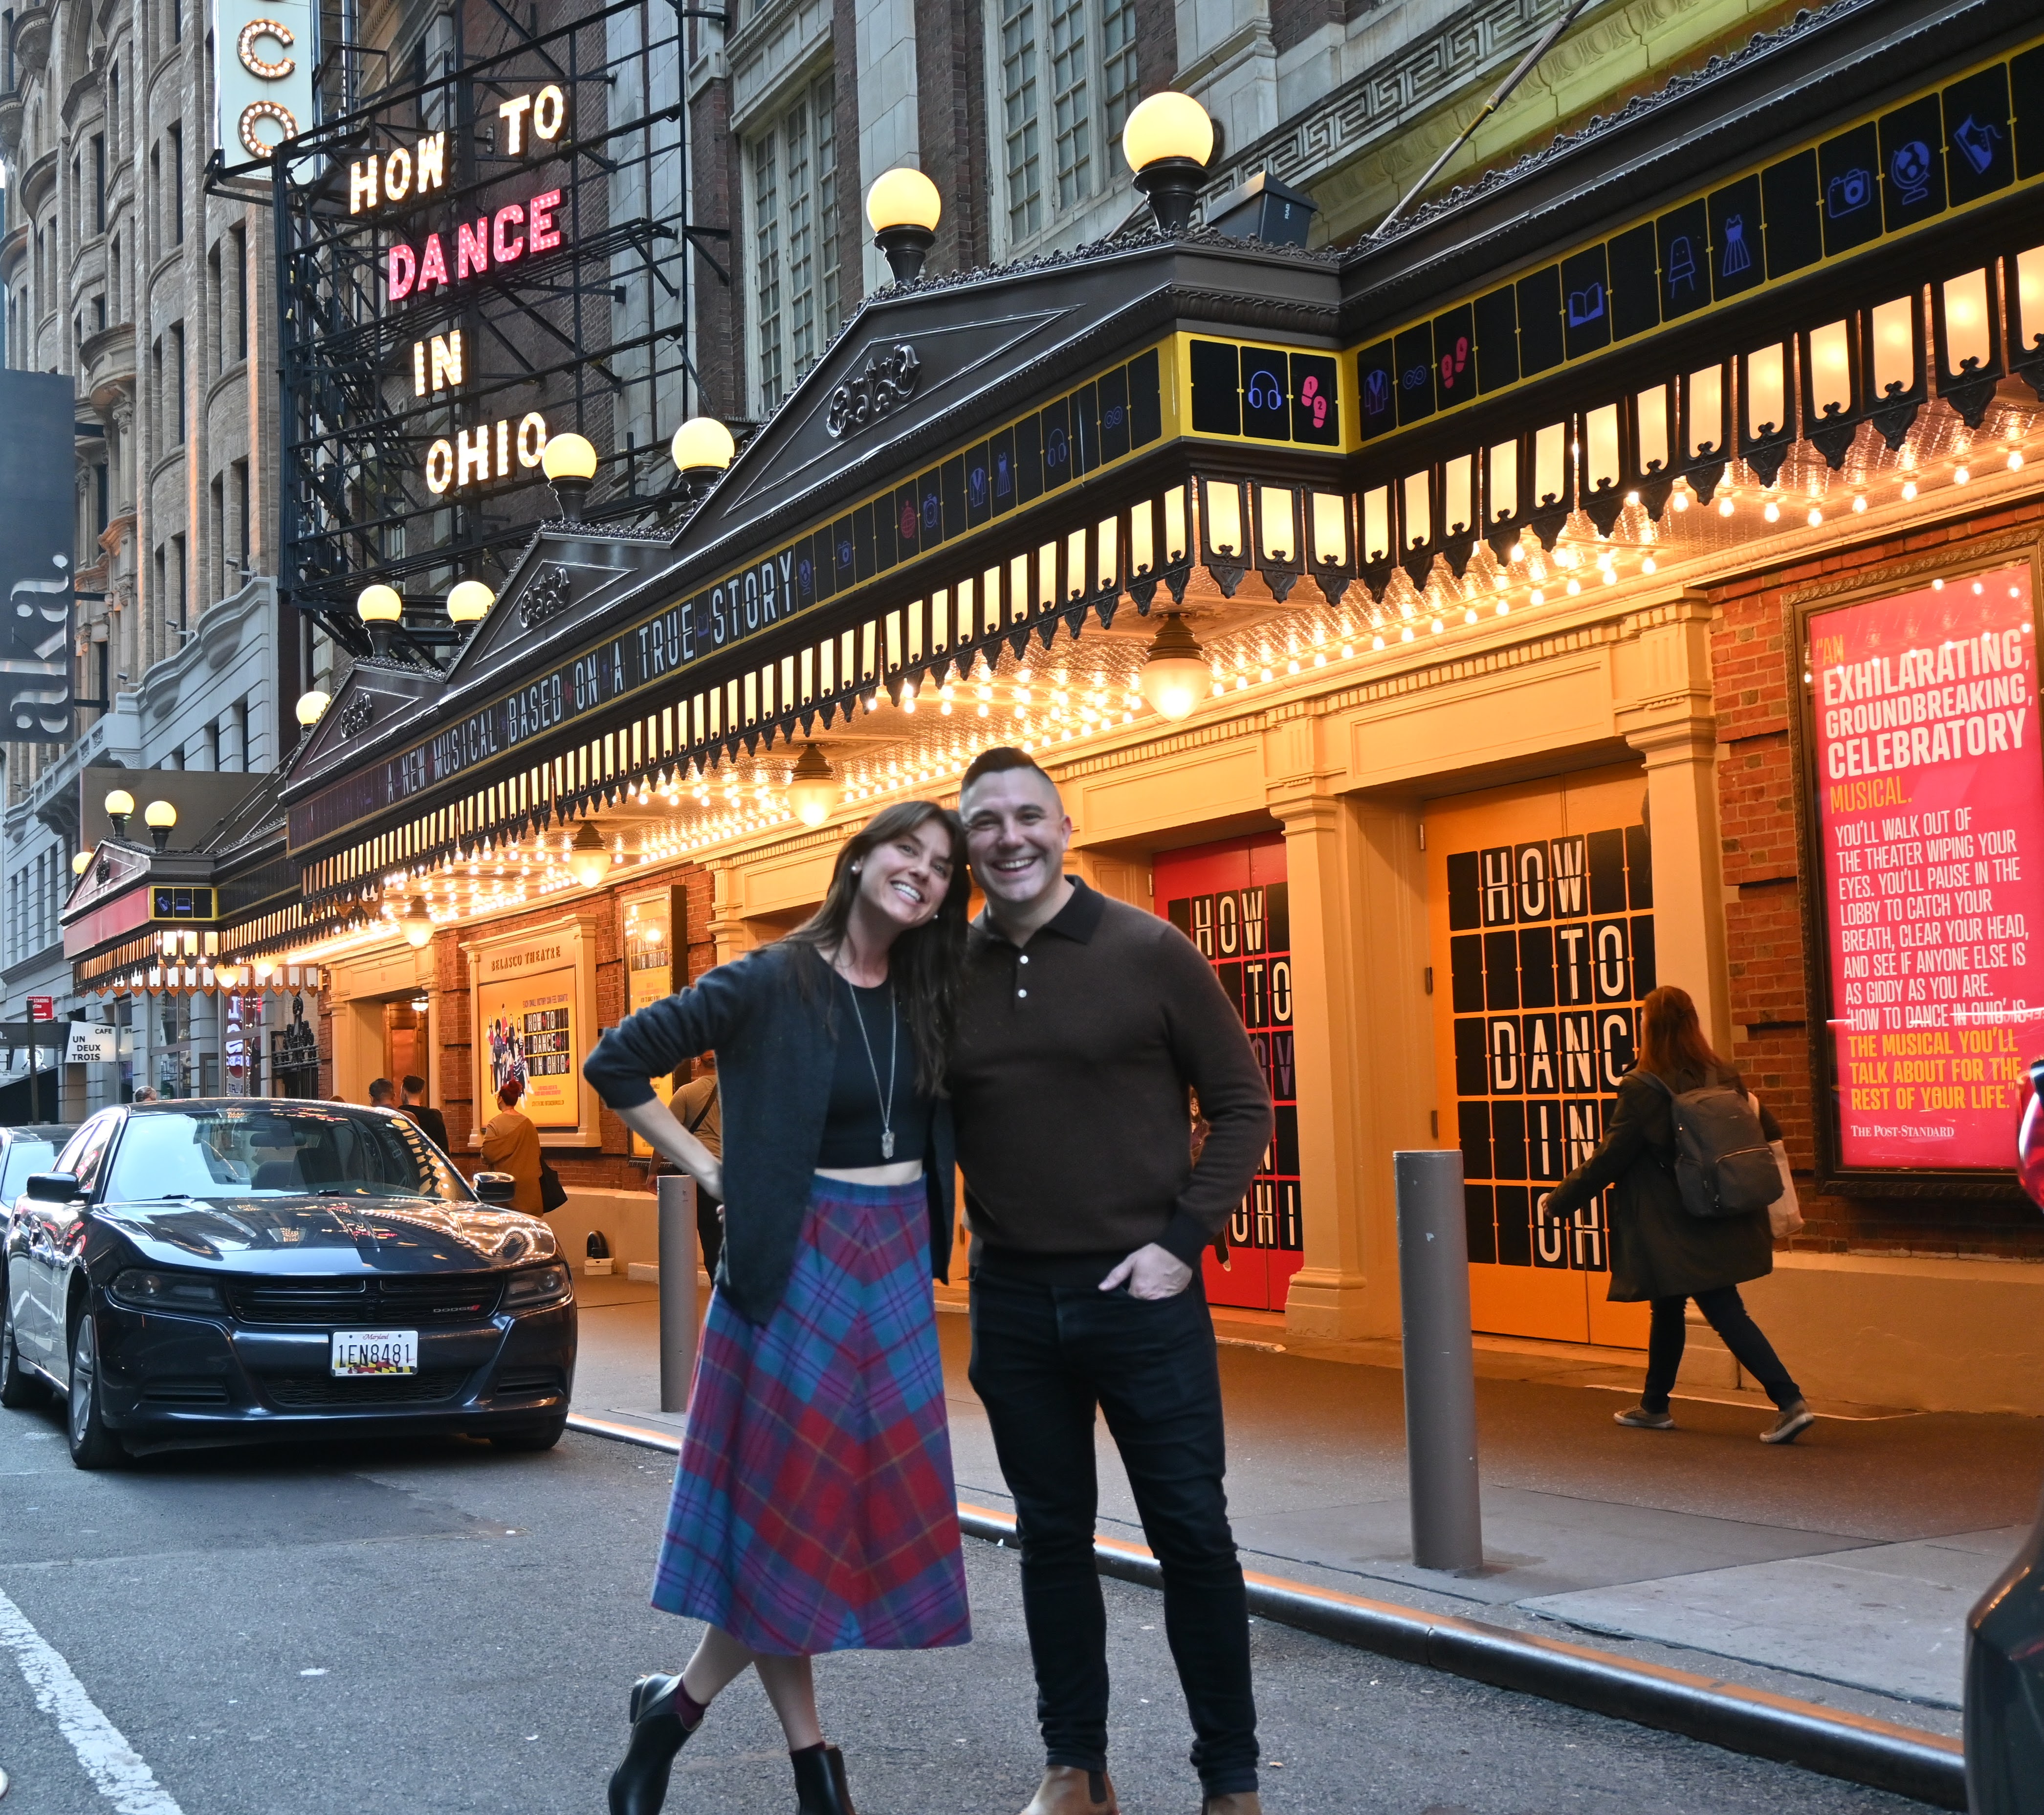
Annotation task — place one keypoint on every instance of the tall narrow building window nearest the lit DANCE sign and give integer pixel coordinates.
(794, 169)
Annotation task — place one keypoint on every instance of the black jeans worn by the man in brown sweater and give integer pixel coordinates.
(1043, 1358)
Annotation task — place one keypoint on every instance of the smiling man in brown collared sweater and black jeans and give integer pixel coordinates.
(1084, 1027)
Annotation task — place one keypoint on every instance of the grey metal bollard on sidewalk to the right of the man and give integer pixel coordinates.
(1440, 1362)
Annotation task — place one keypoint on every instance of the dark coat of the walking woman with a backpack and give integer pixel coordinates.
(1657, 1248)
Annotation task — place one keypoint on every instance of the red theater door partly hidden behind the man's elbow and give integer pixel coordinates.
(1229, 900)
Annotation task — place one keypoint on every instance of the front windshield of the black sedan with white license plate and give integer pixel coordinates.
(275, 1154)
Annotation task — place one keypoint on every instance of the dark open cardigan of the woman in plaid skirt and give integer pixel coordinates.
(778, 1050)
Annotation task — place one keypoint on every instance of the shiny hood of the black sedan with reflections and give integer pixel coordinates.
(326, 1236)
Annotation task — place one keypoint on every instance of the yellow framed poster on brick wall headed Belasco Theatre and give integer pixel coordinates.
(535, 1011)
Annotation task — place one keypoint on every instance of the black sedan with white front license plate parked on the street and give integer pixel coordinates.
(222, 1270)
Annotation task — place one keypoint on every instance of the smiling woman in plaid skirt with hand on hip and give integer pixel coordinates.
(815, 1505)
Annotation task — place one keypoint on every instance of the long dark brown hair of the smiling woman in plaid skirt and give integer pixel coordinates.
(923, 964)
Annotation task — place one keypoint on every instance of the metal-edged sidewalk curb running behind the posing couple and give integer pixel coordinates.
(1830, 1742)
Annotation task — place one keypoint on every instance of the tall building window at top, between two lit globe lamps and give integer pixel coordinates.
(1068, 68)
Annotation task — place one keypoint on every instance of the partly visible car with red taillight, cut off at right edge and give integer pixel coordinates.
(2006, 1630)
